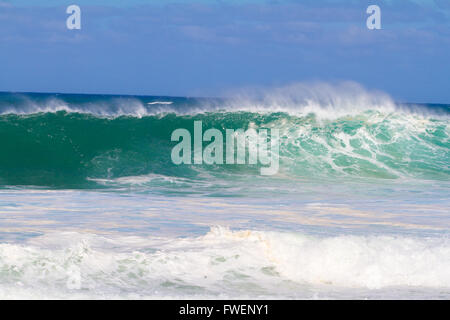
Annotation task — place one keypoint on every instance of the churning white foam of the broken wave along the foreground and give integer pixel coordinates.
(224, 263)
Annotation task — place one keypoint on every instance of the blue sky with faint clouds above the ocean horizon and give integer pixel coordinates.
(206, 48)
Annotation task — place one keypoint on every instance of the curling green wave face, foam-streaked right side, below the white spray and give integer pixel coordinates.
(70, 149)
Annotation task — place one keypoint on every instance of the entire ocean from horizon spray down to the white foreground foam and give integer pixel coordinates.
(91, 205)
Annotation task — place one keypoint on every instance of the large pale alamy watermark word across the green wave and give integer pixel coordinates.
(249, 147)
